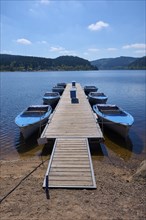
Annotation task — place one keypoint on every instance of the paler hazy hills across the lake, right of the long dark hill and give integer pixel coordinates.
(118, 63)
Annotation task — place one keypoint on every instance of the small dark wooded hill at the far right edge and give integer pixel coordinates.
(139, 63)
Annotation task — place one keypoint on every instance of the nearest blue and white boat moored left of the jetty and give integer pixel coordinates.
(32, 118)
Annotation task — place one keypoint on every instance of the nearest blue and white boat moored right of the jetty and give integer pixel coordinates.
(114, 117)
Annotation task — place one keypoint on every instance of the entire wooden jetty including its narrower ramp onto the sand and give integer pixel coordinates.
(71, 124)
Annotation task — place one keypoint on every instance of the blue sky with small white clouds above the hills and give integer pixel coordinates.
(86, 28)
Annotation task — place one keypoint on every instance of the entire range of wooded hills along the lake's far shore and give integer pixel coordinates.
(29, 63)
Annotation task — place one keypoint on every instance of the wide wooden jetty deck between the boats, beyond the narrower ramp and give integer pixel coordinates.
(72, 119)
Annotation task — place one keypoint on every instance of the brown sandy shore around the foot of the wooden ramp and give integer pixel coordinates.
(115, 197)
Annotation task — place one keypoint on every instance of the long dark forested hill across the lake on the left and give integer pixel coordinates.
(29, 63)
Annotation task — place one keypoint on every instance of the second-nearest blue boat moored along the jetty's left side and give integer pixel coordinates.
(51, 98)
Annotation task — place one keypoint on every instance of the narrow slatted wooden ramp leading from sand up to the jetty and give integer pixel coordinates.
(70, 165)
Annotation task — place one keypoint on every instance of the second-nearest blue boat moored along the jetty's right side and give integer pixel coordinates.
(97, 98)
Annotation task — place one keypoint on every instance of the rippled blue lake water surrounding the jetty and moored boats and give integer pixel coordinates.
(20, 89)
